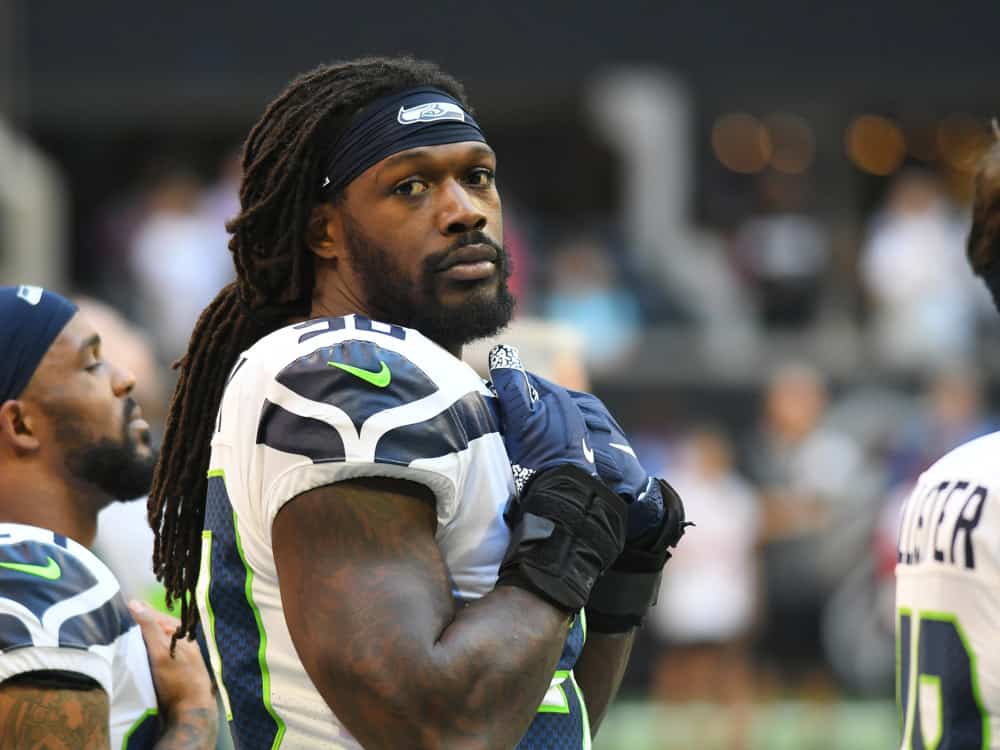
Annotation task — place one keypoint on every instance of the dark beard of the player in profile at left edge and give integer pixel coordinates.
(118, 468)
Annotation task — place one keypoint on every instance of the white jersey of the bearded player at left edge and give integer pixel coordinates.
(61, 610)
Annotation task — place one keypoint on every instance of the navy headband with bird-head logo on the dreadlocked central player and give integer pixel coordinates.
(416, 117)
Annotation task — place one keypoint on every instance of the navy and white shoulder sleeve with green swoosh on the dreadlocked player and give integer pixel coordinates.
(358, 408)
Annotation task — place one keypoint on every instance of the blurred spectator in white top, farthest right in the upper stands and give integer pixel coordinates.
(923, 296)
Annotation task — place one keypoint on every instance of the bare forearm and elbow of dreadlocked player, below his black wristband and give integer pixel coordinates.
(477, 684)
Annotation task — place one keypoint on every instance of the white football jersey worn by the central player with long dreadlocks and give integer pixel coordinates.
(316, 403)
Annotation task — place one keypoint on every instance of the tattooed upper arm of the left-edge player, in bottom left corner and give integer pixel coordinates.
(35, 718)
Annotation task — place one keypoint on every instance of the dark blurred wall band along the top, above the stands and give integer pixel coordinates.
(114, 62)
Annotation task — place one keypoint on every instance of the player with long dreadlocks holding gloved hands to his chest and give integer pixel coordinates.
(336, 487)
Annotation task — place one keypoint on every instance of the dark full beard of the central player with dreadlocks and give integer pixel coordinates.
(393, 297)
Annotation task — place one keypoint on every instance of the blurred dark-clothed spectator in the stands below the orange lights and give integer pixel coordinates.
(784, 253)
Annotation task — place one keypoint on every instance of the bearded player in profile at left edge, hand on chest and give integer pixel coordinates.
(75, 670)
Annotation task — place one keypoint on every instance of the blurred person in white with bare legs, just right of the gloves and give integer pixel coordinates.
(709, 594)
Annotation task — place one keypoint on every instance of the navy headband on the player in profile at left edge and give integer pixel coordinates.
(30, 320)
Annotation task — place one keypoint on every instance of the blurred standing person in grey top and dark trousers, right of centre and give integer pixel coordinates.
(811, 480)
